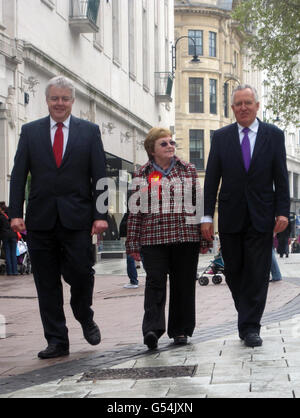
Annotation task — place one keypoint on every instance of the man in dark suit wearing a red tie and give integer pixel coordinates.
(65, 158)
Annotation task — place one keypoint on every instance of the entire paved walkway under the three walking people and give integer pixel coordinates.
(214, 364)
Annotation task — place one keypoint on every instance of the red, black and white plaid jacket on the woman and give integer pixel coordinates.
(162, 220)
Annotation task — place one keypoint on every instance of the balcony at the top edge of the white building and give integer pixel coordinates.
(84, 15)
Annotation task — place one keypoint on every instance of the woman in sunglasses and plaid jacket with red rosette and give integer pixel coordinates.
(164, 225)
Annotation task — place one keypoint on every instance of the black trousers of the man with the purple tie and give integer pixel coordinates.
(247, 260)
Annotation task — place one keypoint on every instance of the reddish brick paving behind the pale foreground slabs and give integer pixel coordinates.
(119, 313)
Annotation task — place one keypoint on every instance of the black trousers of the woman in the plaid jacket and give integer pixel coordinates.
(179, 261)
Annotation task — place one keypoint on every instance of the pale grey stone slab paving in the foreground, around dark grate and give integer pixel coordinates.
(225, 369)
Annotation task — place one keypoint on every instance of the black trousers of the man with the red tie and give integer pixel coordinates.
(68, 253)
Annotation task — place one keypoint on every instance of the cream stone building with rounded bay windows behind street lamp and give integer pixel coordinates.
(203, 90)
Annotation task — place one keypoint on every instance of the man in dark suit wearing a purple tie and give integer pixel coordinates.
(249, 156)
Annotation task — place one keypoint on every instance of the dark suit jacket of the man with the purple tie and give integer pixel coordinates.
(263, 191)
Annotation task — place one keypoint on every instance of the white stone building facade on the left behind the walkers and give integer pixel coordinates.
(117, 52)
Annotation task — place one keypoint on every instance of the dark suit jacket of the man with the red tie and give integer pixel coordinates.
(68, 191)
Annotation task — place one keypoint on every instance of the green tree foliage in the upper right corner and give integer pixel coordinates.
(271, 30)
